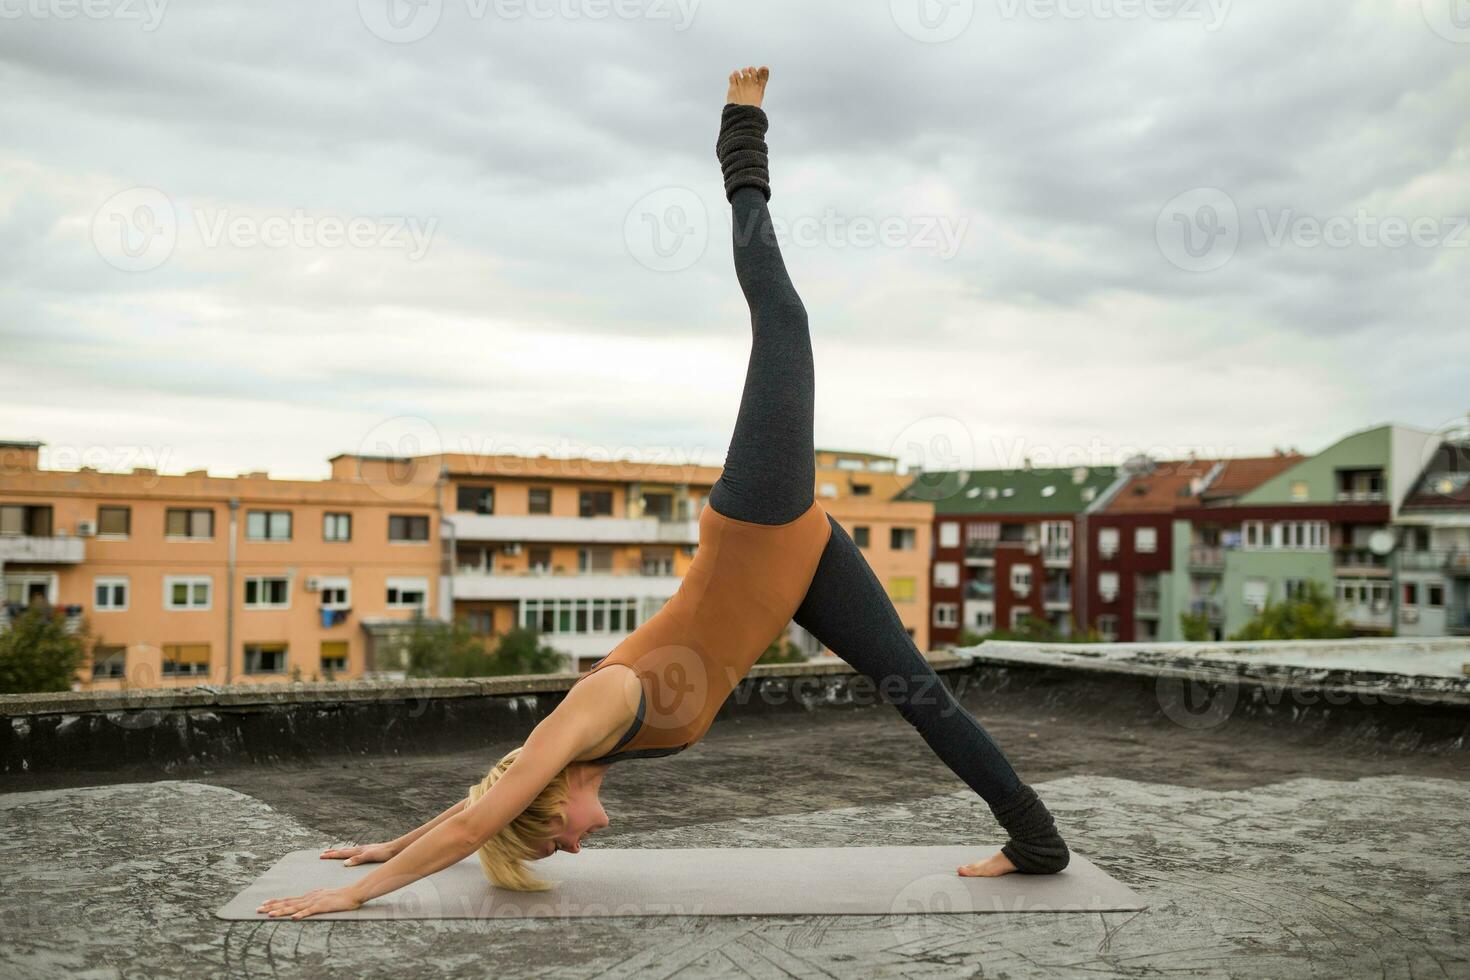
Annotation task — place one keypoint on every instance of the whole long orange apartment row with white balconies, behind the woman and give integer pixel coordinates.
(302, 580)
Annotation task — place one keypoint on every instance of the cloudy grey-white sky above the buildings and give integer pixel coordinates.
(251, 236)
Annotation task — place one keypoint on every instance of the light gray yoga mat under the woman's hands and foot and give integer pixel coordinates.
(712, 882)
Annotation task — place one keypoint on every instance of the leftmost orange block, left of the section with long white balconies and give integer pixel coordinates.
(204, 580)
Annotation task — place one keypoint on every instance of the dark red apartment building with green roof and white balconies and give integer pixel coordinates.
(1003, 546)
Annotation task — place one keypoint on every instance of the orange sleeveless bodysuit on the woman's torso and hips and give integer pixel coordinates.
(743, 588)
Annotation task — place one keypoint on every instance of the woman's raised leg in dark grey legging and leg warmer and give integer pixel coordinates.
(771, 468)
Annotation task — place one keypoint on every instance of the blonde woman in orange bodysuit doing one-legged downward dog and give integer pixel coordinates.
(768, 555)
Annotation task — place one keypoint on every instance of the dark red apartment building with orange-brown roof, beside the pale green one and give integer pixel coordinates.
(1141, 563)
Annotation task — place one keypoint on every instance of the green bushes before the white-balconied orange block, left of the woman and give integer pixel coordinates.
(453, 650)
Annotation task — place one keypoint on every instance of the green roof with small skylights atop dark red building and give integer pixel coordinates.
(1037, 491)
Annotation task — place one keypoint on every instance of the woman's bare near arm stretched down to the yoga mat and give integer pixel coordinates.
(589, 715)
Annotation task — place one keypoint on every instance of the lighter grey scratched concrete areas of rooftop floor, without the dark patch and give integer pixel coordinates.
(1300, 879)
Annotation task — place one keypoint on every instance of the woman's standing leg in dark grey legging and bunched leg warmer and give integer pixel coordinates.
(849, 612)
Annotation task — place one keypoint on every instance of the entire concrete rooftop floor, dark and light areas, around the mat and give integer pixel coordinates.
(1262, 851)
